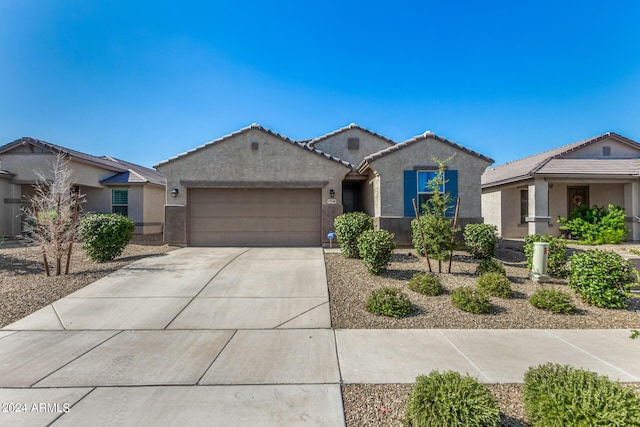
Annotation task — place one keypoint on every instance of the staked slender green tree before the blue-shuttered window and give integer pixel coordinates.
(437, 225)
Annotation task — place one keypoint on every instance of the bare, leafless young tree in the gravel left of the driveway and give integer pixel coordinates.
(52, 216)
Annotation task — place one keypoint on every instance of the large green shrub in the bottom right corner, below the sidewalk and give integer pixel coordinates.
(556, 395)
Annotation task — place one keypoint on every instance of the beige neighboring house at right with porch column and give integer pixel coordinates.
(528, 195)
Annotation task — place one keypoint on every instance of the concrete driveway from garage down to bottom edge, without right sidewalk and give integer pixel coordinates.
(206, 336)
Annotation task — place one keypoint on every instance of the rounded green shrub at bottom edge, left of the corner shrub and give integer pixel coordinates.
(450, 399)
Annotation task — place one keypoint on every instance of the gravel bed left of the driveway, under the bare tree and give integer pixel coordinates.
(24, 288)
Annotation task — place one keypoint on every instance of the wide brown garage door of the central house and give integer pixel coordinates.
(254, 217)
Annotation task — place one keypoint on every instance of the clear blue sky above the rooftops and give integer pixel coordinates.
(145, 80)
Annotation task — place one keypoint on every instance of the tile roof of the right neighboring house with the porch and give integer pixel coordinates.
(527, 167)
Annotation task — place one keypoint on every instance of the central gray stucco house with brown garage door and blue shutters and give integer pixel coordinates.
(257, 187)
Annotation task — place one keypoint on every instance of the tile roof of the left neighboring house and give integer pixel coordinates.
(125, 172)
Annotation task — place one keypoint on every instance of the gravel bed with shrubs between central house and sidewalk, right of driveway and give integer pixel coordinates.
(350, 285)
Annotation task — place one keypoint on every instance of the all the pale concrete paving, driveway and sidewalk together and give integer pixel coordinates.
(238, 336)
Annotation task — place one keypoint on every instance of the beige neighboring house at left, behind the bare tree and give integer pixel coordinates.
(109, 185)
